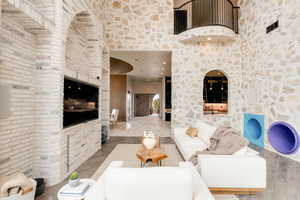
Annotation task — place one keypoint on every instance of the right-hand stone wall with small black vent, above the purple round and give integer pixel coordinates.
(271, 62)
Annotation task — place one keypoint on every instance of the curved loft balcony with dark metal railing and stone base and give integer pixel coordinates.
(199, 20)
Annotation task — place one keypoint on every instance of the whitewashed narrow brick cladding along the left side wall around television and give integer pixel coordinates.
(32, 138)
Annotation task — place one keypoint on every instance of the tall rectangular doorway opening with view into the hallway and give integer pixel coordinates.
(141, 90)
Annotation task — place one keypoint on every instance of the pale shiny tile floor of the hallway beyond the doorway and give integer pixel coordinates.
(138, 125)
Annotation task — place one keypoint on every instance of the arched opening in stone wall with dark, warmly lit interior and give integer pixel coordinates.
(215, 93)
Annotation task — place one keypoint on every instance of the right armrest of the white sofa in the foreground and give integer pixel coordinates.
(200, 189)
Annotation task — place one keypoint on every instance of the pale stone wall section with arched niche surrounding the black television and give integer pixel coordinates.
(84, 44)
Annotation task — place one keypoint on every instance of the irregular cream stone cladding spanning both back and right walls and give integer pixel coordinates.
(263, 70)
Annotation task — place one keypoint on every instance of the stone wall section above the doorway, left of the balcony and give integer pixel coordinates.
(139, 24)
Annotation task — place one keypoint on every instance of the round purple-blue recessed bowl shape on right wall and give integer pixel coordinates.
(283, 137)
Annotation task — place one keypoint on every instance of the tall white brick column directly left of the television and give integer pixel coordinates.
(49, 103)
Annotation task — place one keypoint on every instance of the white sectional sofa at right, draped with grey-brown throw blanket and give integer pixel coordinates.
(243, 172)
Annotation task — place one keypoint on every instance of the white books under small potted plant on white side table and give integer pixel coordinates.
(78, 191)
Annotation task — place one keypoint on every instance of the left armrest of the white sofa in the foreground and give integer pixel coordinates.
(97, 191)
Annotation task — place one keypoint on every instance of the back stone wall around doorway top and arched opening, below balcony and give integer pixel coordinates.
(148, 25)
